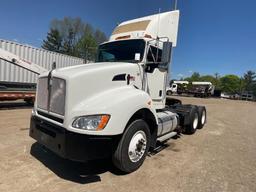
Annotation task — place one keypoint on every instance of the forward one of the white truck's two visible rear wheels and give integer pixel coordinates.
(193, 116)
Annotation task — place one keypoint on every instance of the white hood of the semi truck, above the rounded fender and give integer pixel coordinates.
(88, 81)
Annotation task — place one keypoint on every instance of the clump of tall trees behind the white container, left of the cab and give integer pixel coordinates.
(77, 38)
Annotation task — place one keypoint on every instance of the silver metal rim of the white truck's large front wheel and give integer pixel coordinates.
(137, 146)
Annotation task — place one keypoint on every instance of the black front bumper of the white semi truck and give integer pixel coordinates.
(70, 145)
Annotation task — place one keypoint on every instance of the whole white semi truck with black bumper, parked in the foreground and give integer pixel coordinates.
(115, 107)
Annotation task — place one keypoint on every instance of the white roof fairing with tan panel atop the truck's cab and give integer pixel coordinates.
(149, 27)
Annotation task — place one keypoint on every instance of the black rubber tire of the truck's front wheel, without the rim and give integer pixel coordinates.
(120, 158)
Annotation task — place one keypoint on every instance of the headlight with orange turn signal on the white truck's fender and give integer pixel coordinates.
(92, 122)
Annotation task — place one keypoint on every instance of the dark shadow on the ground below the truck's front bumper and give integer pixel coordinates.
(82, 173)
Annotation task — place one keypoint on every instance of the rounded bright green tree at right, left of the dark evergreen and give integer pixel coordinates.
(230, 84)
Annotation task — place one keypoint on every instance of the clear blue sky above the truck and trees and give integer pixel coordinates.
(215, 36)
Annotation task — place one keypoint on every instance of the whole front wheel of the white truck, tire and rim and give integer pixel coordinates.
(133, 147)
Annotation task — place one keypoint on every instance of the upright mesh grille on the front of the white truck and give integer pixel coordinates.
(57, 89)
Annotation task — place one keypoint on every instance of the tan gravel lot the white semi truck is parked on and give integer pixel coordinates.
(220, 157)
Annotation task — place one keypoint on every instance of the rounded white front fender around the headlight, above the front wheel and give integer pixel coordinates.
(120, 103)
